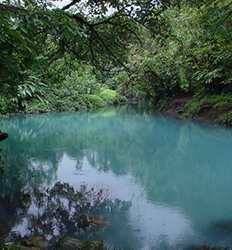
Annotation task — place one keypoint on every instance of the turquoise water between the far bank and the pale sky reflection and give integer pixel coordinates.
(178, 163)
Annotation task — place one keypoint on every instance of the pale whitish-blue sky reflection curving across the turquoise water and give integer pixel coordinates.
(151, 223)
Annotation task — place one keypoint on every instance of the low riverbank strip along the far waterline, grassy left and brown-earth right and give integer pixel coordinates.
(214, 109)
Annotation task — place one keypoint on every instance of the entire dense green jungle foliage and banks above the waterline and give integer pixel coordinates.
(88, 54)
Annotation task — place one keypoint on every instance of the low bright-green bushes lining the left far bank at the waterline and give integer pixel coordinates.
(72, 102)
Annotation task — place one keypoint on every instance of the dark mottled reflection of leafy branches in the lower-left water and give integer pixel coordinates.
(61, 210)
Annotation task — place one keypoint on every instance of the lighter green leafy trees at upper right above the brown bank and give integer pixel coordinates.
(188, 50)
